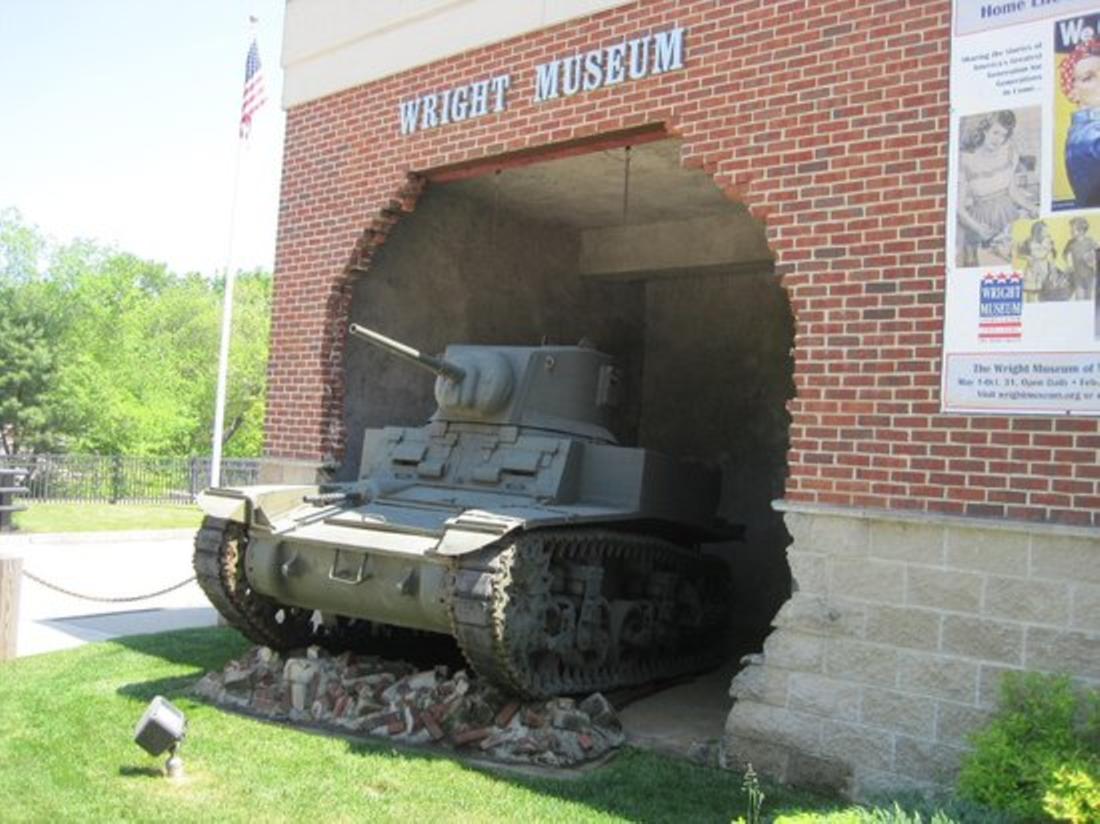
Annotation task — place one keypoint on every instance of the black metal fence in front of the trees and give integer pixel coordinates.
(119, 479)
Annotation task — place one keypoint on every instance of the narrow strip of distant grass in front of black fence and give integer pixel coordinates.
(67, 518)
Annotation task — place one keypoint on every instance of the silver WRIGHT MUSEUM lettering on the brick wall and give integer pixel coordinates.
(629, 60)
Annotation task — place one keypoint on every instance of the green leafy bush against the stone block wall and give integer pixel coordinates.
(1040, 756)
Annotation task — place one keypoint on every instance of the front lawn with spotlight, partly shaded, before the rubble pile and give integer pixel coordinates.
(67, 754)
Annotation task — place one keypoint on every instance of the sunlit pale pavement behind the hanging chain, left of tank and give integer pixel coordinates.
(104, 565)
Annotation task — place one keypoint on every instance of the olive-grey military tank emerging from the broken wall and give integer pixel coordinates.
(513, 521)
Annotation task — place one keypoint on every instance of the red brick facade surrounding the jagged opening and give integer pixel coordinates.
(831, 122)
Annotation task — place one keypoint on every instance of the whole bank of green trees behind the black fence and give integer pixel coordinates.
(109, 354)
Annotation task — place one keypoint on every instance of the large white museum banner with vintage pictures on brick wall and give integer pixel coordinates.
(1022, 316)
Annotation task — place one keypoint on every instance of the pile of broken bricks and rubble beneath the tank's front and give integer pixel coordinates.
(369, 696)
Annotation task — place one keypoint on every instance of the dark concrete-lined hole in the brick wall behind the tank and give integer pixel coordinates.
(680, 289)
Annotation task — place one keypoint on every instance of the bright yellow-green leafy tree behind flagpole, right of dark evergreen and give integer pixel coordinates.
(144, 372)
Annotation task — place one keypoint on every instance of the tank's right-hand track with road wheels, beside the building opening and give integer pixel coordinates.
(576, 611)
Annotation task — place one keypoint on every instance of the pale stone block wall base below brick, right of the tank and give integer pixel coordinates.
(892, 650)
